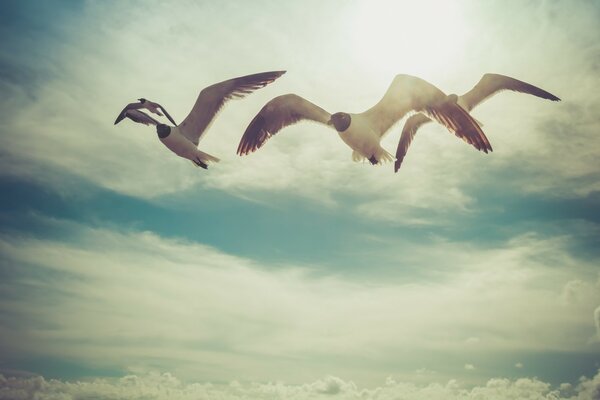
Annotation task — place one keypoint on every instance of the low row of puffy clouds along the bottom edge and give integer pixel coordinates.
(166, 386)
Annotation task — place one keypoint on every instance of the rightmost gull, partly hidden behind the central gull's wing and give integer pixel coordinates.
(488, 85)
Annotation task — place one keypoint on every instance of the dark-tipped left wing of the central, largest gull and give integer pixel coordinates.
(277, 114)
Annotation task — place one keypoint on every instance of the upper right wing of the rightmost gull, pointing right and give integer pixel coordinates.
(490, 84)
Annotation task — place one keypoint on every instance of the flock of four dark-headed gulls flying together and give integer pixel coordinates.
(361, 132)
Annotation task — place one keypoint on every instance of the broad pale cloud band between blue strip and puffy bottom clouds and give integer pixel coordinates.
(126, 299)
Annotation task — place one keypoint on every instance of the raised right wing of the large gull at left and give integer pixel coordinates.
(212, 98)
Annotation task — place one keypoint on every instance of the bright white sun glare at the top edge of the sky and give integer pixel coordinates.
(415, 37)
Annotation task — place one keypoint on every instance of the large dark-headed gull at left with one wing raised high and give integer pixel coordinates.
(183, 139)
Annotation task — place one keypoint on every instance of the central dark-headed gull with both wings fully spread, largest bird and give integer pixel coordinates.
(363, 132)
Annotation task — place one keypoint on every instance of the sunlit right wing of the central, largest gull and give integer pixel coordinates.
(409, 93)
